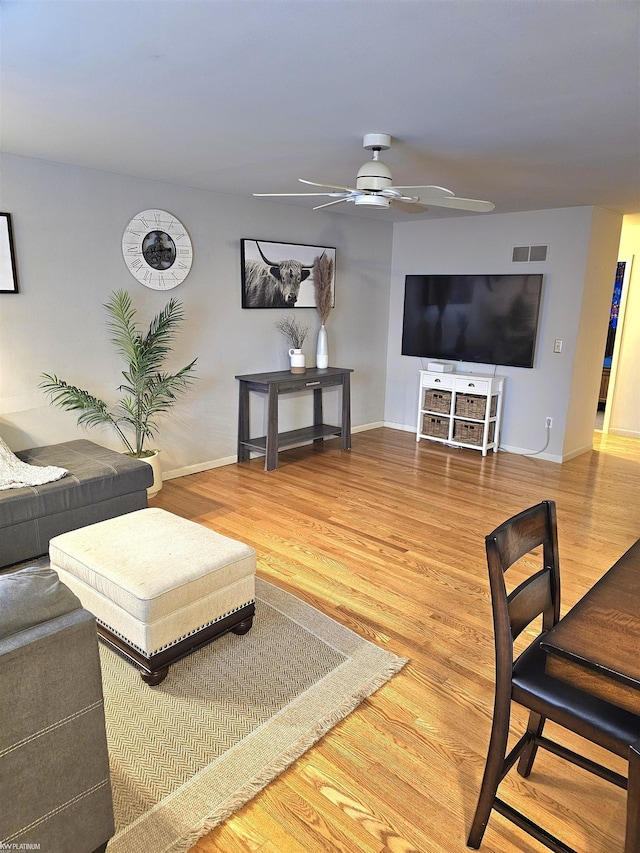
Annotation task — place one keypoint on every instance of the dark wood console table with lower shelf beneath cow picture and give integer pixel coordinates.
(284, 382)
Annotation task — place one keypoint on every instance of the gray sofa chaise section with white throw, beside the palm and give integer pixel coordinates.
(100, 484)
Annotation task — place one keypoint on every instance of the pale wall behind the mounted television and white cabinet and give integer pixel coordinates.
(483, 244)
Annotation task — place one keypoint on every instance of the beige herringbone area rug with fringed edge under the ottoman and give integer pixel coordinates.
(228, 719)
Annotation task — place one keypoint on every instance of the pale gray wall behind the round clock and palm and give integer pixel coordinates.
(68, 225)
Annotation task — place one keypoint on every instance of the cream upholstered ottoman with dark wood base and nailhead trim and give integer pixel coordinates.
(160, 586)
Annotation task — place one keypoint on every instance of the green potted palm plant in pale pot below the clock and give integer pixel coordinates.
(147, 390)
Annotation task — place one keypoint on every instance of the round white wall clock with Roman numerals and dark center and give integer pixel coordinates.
(157, 249)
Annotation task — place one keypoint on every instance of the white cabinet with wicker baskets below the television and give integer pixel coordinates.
(462, 409)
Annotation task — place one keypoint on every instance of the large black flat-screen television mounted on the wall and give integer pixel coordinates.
(491, 319)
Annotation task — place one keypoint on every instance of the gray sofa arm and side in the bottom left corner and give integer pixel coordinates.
(54, 766)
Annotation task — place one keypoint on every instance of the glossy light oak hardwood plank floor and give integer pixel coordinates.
(389, 540)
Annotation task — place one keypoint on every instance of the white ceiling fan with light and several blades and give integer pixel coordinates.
(374, 187)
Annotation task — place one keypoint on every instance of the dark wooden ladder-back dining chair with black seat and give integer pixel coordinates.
(525, 681)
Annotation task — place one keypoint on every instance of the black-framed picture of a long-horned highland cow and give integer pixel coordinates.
(280, 275)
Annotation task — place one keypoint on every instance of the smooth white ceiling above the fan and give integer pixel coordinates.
(531, 104)
